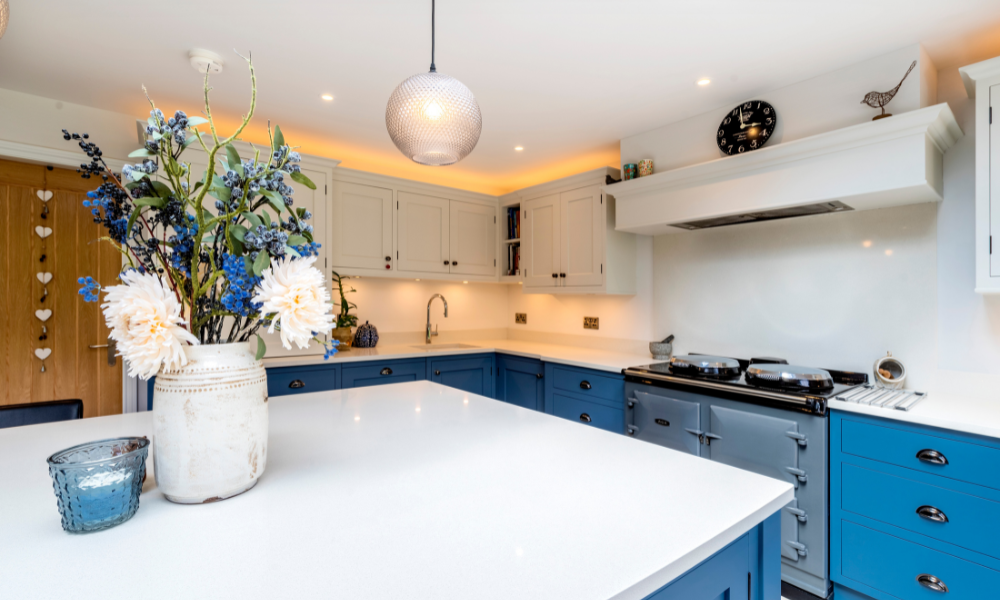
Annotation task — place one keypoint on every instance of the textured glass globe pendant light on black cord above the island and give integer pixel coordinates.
(432, 118)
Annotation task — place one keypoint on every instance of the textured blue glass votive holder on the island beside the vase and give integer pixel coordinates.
(97, 484)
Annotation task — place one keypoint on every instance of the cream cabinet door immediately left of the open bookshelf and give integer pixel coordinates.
(473, 238)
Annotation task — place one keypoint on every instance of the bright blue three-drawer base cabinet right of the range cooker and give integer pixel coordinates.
(915, 511)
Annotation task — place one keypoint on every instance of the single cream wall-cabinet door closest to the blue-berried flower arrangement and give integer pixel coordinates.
(362, 226)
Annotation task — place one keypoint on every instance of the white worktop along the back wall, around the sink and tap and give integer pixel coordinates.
(588, 358)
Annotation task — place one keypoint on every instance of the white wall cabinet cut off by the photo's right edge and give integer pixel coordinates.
(982, 82)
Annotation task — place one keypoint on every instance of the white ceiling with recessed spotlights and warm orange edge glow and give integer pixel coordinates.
(565, 79)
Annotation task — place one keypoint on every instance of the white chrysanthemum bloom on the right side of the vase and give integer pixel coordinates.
(294, 295)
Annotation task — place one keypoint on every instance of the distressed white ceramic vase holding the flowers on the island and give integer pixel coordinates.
(210, 424)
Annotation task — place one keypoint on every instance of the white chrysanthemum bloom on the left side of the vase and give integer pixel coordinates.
(145, 321)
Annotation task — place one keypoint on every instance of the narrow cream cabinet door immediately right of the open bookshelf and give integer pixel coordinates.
(540, 241)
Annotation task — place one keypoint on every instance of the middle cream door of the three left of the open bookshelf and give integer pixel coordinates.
(423, 233)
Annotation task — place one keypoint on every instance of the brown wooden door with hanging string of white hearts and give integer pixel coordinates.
(73, 369)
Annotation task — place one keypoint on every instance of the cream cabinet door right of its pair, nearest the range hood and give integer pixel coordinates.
(582, 248)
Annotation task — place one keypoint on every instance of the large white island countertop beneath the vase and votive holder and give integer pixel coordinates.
(411, 490)
